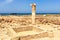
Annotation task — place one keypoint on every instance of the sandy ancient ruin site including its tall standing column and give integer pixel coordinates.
(27, 27)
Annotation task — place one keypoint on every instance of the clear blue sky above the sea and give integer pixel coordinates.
(23, 6)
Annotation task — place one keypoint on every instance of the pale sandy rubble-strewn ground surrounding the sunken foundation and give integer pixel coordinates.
(46, 23)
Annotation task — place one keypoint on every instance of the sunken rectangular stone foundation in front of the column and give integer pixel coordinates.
(29, 33)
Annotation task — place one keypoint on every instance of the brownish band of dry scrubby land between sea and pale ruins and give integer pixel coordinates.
(24, 20)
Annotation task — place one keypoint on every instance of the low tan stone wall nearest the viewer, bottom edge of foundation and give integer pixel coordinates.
(40, 35)
